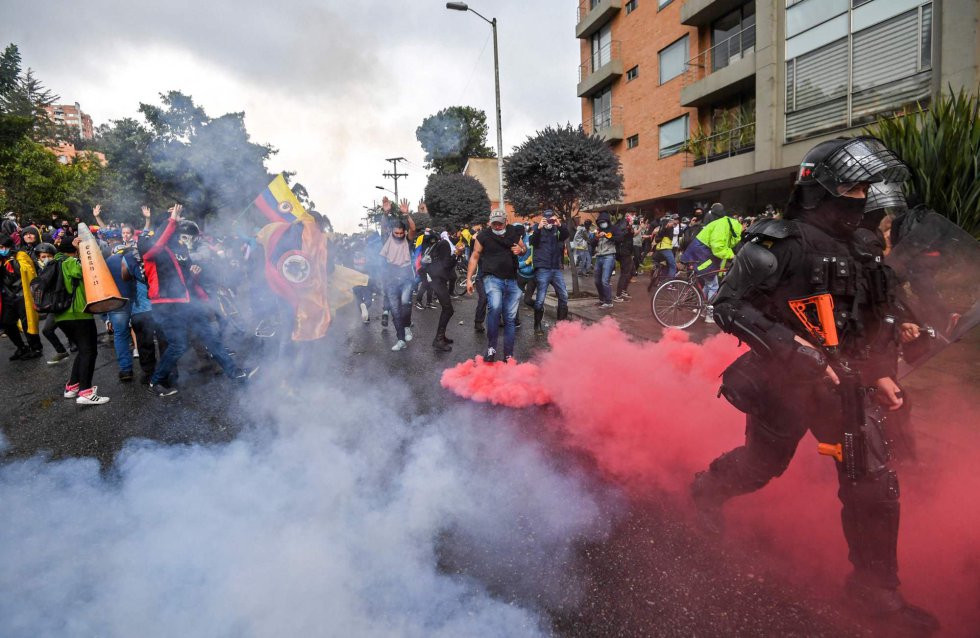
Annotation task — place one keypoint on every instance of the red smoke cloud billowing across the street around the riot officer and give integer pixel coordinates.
(648, 413)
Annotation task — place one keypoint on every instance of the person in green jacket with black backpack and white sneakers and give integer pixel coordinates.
(79, 326)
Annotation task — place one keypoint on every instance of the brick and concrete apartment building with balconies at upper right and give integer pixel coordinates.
(764, 82)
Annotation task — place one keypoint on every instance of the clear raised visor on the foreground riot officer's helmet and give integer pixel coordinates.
(862, 160)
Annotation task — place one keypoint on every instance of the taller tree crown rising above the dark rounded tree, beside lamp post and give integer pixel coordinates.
(453, 135)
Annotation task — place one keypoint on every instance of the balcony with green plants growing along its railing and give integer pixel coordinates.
(721, 156)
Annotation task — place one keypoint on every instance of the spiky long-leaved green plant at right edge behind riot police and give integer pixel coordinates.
(941, 145)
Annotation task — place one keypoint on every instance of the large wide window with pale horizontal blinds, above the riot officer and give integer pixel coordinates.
(876, 62)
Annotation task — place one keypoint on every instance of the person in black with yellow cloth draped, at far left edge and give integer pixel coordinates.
(17, 271)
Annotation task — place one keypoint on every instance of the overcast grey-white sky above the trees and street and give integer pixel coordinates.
(336, 86)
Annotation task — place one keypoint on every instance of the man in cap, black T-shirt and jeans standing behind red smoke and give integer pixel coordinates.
(495, 252)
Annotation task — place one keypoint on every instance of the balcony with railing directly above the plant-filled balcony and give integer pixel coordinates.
(723, 70)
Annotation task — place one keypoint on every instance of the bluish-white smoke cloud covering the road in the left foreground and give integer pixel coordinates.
(334, 516)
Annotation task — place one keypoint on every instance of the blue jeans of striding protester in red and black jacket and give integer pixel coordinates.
(175, 319)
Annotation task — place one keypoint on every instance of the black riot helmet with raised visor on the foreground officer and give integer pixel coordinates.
(835, 167)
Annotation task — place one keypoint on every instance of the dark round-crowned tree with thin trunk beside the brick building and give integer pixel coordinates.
(565, 170)
